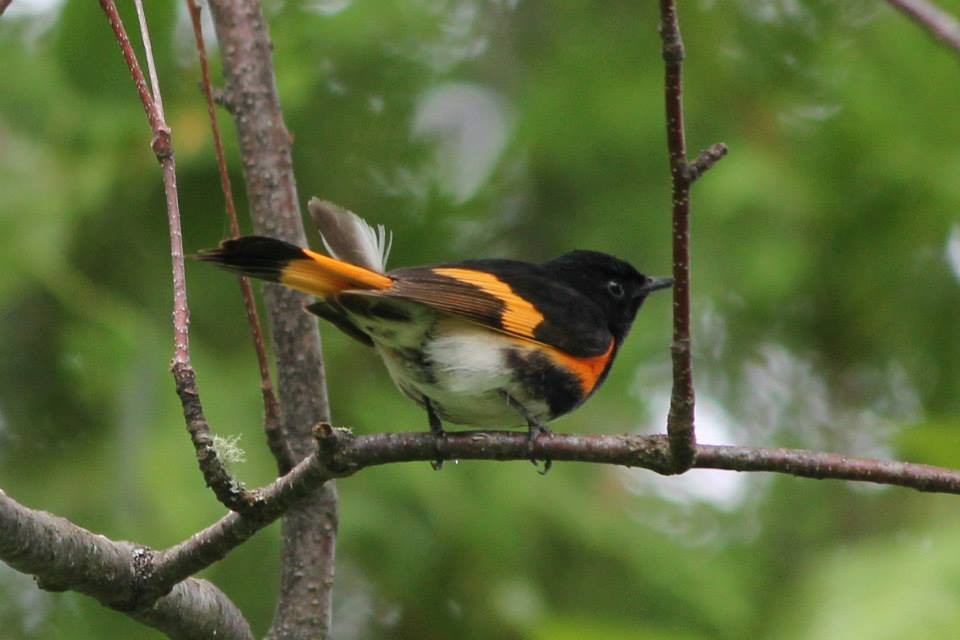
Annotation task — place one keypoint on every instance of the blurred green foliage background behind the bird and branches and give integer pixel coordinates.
(826, 270)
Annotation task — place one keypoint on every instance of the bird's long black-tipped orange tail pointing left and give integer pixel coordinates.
(298, 268)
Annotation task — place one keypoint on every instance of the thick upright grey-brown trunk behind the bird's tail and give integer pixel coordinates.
(309, 529)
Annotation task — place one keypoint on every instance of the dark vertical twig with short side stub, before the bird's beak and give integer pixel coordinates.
(680, 427)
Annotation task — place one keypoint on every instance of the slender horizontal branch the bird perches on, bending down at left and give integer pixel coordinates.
(341, 454)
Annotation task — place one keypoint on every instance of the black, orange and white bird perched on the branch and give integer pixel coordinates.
(486, 343)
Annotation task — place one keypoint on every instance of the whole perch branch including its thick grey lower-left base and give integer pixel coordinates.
(130, 578)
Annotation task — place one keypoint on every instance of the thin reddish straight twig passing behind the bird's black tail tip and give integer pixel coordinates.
(271, 408)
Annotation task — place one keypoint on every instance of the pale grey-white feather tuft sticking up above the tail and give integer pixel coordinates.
(349, 237)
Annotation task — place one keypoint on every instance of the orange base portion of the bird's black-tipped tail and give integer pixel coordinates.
(323, 276)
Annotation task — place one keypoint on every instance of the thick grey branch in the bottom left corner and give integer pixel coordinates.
(118, 574)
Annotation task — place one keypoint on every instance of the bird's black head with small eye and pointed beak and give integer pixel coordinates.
(614, 285)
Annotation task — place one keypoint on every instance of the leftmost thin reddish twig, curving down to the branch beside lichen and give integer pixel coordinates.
(227, 490)
